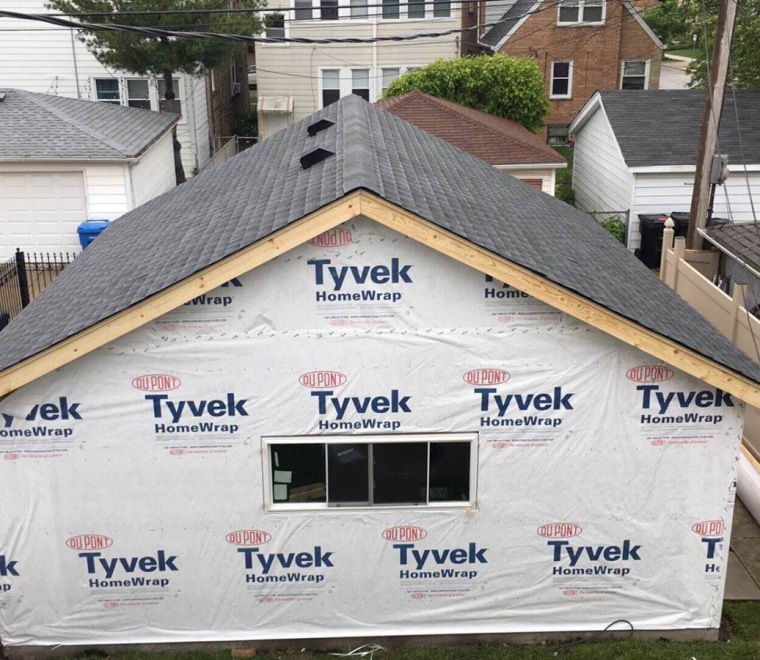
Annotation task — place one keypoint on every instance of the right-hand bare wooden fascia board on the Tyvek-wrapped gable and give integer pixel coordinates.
(575, 305)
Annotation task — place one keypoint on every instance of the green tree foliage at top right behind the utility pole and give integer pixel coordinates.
(745, 53)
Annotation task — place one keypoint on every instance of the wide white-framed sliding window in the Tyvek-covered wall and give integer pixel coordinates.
(356, 471)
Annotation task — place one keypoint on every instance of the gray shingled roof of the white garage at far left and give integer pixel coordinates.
(46, 127)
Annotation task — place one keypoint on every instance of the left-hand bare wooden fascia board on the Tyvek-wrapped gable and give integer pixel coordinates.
(176, 295)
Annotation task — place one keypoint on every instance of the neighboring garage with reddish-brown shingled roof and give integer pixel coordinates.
(503, 143)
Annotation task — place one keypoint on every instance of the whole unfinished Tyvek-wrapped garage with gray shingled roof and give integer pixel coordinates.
(356, 383)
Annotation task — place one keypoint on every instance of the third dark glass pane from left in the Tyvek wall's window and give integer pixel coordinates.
(400, 473)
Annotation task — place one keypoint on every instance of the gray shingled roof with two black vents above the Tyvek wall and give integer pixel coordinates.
(265, 188)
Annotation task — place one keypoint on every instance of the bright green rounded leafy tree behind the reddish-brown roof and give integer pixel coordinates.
(504, 86)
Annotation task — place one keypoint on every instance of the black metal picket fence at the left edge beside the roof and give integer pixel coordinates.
(24, 276)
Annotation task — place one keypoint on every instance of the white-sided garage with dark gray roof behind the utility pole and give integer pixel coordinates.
(637, 151)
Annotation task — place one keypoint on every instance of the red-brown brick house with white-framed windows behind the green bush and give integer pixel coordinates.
(581, 47)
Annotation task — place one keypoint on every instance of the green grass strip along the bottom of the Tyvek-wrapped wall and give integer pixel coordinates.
(741, 619)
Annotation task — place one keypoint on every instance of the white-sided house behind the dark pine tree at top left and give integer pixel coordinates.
(46, 59)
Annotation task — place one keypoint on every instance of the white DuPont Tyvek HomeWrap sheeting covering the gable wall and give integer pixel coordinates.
(135, 485)
